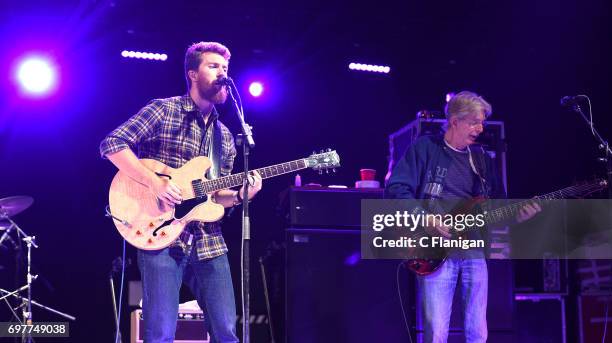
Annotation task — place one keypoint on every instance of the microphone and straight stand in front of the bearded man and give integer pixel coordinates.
(246, 141)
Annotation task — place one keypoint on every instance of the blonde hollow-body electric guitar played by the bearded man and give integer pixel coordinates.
(146, 223)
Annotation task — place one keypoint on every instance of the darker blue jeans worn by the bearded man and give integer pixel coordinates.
(164, 271)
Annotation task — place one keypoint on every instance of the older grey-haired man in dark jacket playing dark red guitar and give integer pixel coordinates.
(450, 166)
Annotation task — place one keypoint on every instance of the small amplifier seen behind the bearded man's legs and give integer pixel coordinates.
(189, 327)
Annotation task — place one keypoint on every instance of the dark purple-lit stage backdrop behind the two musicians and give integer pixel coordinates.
(522, 56)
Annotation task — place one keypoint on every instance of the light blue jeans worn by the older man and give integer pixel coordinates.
(436, 296)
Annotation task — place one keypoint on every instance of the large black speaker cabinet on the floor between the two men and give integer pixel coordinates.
(334, 296)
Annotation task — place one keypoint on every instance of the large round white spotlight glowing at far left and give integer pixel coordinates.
(36, 75)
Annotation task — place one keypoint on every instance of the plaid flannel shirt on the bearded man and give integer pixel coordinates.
(167, 130)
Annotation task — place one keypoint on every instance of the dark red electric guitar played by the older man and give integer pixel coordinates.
(436, 256)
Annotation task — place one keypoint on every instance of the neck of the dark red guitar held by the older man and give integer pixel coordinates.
(510, 211)
